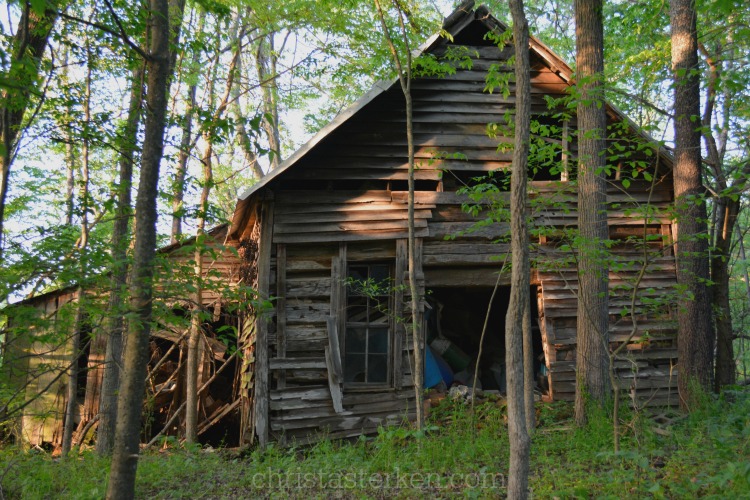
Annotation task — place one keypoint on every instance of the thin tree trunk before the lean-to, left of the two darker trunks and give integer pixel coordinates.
(72, 403)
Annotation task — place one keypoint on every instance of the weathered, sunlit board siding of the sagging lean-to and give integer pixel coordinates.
(39, 367)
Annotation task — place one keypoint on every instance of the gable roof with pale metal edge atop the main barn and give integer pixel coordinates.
(454, 24)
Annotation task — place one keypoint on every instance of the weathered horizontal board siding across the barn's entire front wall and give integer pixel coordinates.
(345, 201)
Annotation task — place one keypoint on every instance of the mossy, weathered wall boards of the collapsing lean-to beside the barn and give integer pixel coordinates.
(38, 368)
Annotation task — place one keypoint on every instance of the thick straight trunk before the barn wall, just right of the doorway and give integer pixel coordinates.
(592, 348)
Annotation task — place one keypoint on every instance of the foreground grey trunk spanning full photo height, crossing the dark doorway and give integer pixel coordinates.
(517, 324)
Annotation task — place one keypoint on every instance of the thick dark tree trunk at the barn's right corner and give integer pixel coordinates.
(695, 329)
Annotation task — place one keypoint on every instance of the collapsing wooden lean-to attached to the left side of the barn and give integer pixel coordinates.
(36, 363)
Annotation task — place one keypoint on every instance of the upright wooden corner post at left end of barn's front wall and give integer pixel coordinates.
(260, 399)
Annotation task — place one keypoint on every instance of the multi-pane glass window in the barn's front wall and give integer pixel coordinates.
(367, 339)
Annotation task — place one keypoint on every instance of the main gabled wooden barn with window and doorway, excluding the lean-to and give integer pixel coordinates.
(324, 236)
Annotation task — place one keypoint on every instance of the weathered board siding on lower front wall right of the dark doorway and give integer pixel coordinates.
(642, 296)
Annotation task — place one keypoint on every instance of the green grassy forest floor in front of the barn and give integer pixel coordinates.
(664, 455)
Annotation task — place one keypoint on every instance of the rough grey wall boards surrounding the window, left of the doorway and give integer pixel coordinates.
(302, 397)
